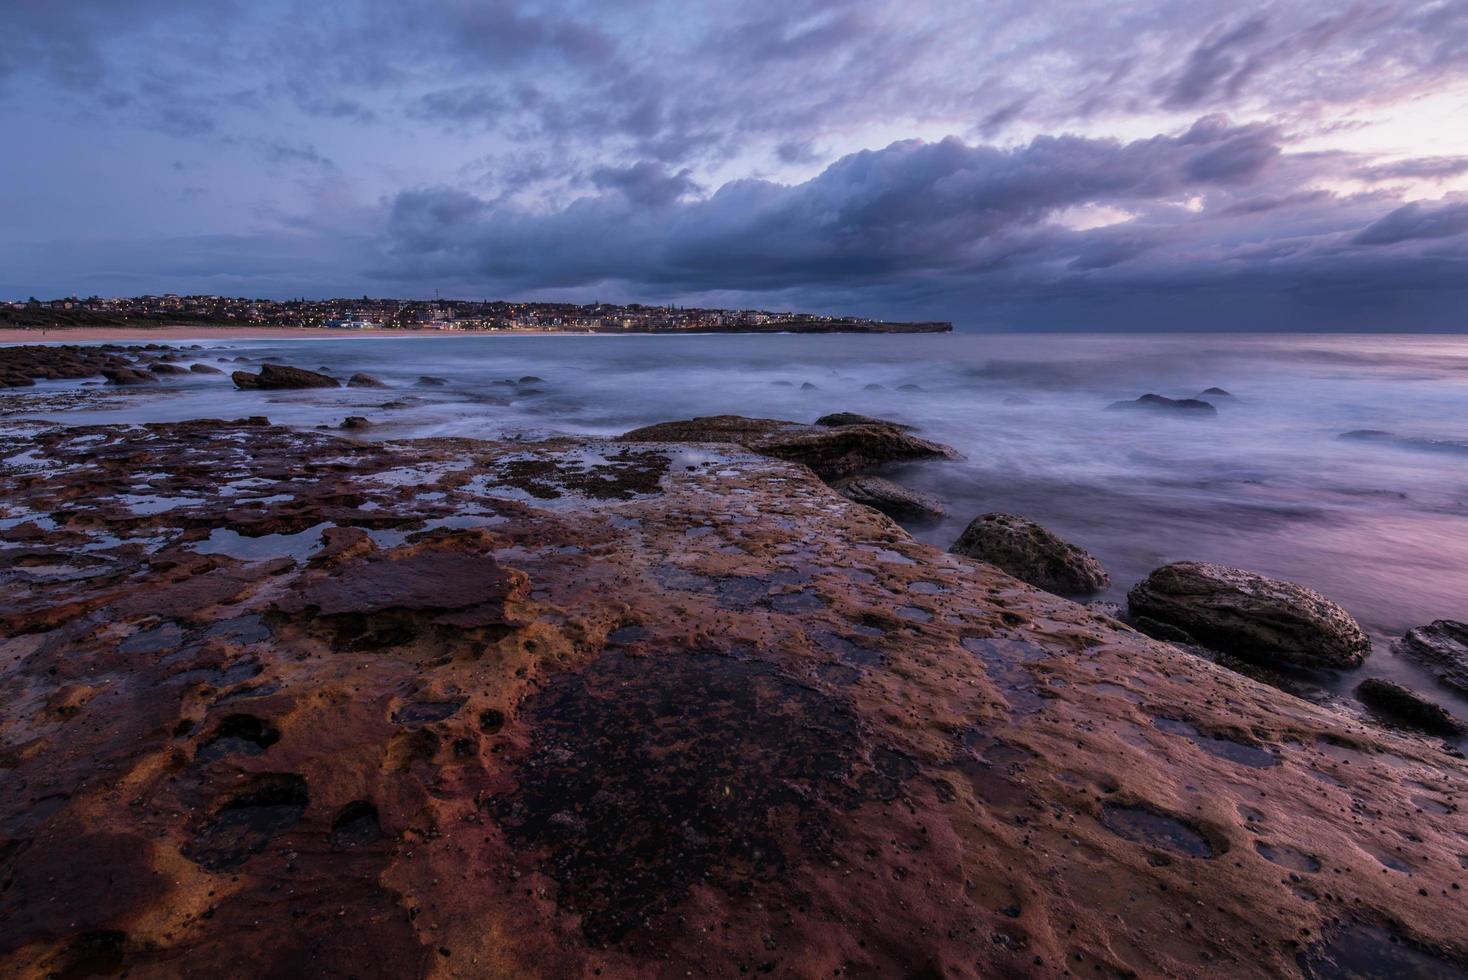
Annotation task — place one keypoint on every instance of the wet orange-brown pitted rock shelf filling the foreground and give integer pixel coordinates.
(290, 703)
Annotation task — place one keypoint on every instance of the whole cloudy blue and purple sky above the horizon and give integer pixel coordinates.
(1008, 165)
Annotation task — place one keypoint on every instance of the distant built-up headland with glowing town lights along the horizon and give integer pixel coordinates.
(428, 316)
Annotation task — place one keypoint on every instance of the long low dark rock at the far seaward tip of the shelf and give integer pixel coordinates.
(832, 453)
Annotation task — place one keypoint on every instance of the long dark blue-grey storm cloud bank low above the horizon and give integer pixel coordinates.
(939, 222)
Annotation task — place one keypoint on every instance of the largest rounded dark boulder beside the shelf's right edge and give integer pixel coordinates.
(1251, 615)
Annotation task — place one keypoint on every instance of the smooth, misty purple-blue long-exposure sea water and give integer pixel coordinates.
(1266, 485)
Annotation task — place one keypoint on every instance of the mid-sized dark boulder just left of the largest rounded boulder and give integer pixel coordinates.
(1033, 555)
